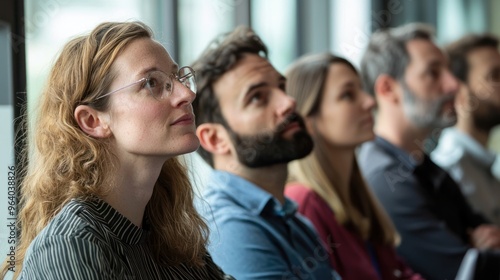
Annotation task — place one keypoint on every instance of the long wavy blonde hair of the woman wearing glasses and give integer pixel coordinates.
(65, 163)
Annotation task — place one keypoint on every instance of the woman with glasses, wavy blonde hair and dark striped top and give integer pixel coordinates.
(104, 195)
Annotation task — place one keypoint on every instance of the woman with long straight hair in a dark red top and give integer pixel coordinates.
(327, 184)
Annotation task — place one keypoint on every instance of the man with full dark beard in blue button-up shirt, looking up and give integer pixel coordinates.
(249, 131)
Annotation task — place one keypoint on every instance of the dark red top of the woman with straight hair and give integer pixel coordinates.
(348, 253)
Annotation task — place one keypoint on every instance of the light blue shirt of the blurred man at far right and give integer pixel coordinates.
(470, 165)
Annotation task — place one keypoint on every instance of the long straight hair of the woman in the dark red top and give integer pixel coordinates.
(359, 209)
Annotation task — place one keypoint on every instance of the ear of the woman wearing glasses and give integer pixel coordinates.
(92, 122)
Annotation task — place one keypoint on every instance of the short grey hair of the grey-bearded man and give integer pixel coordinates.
(387, 53)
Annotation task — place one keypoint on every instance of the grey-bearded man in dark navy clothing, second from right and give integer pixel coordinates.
(415, 92)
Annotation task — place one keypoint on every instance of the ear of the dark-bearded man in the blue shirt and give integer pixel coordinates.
(214, 138)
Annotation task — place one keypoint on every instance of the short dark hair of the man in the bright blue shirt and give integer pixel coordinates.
(220, 56)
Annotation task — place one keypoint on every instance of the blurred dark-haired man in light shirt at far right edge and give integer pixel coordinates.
(462, 149)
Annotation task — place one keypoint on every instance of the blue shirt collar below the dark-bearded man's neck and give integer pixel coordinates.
(250, 196)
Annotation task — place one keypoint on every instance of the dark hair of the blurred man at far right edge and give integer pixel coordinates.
(459, 50)
